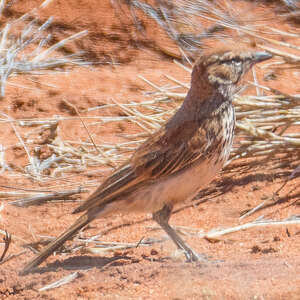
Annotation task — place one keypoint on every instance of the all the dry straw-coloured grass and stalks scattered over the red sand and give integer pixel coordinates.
(263, 119)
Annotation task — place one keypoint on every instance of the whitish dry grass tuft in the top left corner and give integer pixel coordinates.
(24, 47)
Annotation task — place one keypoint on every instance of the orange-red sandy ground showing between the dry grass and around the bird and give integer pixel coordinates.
(259, 263)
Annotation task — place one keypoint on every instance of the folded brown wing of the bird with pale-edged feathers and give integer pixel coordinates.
(159, 156)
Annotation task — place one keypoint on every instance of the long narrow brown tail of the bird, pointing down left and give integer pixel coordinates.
(81, 222)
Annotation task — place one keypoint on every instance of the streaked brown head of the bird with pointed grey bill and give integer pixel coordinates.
(223, 69)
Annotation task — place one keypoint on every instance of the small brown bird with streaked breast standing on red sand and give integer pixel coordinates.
(178, 160)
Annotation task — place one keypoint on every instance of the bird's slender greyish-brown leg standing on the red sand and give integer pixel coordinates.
(162, 218)
